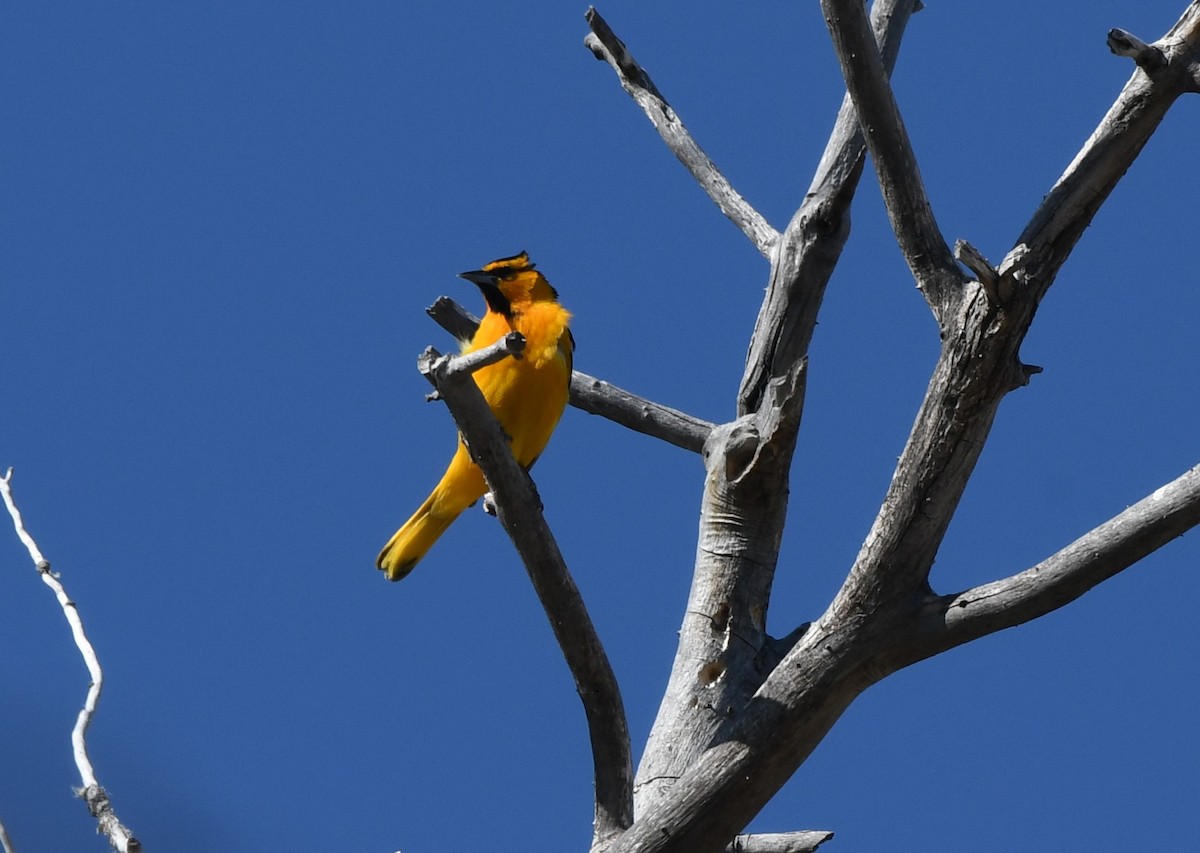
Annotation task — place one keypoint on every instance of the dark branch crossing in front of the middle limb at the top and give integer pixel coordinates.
(909, 208)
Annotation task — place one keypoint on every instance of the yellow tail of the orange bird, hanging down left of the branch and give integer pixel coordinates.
(461, 486)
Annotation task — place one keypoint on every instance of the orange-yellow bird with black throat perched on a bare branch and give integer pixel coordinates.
(527, 397)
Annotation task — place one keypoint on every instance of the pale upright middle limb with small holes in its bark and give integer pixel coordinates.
(723, 641)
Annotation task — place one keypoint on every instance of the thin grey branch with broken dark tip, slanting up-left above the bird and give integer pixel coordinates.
(634, 80)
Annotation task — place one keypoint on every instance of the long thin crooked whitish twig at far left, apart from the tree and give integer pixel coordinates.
(92, 792)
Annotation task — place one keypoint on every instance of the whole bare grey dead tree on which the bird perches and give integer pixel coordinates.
(743, 710)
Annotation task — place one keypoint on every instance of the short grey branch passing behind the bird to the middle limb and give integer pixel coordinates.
(597, 397)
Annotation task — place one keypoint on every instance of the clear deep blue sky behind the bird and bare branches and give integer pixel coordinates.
(221, 226)
